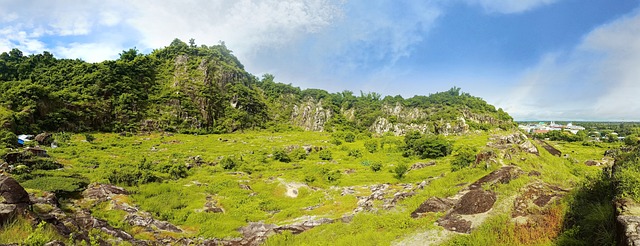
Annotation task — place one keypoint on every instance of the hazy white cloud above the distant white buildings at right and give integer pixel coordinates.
(598, 79)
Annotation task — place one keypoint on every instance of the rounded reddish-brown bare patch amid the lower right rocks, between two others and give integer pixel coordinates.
(475, 202)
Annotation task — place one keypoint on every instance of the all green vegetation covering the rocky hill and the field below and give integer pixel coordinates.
(144, 122)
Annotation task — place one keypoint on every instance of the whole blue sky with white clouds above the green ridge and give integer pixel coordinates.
(536, 59)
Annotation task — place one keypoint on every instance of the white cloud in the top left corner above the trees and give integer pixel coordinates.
(27, 23)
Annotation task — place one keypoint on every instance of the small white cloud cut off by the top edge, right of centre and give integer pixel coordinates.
(510, 6)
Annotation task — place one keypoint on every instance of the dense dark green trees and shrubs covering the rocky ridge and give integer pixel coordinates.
(193, 89)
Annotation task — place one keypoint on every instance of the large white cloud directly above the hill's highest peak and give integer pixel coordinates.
(245, 25)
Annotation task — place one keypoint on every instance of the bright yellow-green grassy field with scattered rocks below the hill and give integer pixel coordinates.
(246, 176)
